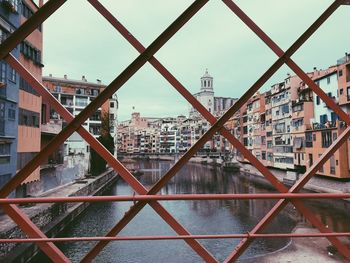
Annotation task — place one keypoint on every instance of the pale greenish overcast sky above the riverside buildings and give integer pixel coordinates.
(78, 41)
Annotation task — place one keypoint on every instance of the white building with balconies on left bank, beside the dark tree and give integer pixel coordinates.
(75, 95)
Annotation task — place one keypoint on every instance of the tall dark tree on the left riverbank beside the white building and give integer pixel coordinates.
(97, 163)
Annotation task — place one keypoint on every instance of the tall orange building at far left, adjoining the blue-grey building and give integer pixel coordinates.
(29, 101)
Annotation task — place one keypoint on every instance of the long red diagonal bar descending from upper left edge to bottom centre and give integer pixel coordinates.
(123, 172)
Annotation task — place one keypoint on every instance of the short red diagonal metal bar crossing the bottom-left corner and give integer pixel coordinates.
(33, 231)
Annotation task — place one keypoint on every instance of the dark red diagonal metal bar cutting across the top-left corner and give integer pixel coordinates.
(29, 26)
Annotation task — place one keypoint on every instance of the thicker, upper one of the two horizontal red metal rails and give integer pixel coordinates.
(135, 198)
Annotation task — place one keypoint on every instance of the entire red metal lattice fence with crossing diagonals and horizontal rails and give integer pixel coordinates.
(150, 197)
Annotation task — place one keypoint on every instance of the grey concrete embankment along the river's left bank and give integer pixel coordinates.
(51, 218)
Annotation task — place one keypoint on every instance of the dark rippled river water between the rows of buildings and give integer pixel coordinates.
(199, 217)
